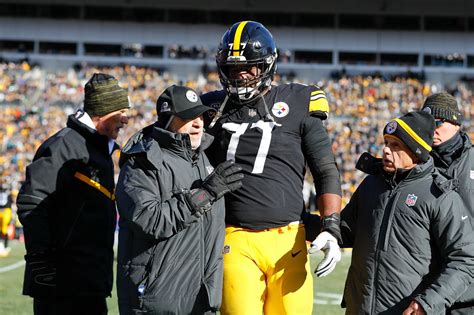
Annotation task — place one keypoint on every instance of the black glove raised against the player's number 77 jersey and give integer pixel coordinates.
(226, 177)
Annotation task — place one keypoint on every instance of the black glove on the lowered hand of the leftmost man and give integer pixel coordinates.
(40, 273)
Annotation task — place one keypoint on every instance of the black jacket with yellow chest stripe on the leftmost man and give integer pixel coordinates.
(67, 209)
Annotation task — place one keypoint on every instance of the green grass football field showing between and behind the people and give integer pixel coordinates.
(327, 291)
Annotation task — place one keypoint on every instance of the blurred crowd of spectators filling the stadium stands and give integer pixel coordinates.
(35, 102)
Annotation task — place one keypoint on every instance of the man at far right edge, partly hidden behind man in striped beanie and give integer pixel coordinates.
(453, 155)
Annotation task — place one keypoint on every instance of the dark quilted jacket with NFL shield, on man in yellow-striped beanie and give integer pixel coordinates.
(411, 240)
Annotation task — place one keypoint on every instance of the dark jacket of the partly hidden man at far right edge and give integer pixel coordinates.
(462, 169)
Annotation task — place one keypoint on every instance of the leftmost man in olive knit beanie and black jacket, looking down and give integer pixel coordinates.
(67, 207)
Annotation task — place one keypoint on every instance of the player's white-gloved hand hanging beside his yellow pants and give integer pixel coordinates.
(332, 253)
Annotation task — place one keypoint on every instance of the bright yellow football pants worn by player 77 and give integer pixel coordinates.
(267, 272)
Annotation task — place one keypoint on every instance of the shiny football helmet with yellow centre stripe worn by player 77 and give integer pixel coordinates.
(244, 46)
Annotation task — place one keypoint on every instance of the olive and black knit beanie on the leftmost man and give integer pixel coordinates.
(103, 95)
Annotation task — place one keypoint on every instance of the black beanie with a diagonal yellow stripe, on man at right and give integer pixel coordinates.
(415, 130)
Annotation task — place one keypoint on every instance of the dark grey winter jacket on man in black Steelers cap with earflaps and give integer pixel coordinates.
(169, 261)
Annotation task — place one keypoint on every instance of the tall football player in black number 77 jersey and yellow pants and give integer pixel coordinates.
(272, 131)
